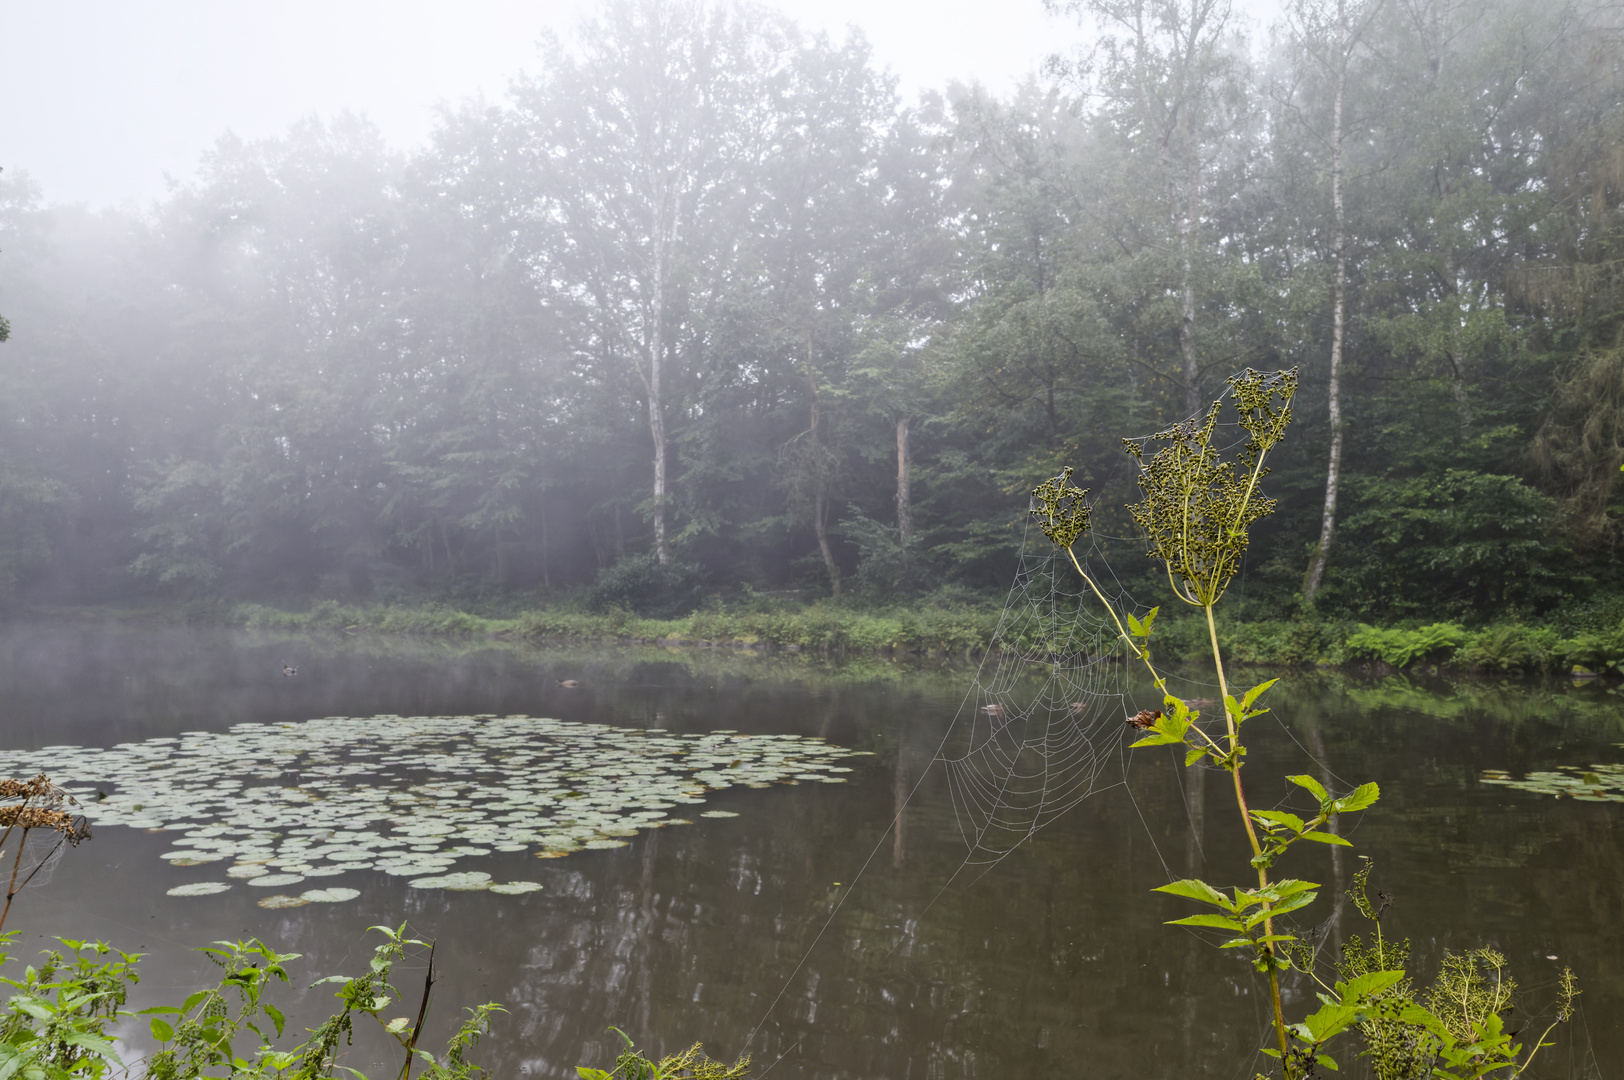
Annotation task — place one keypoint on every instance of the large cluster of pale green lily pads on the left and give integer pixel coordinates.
(272, 806)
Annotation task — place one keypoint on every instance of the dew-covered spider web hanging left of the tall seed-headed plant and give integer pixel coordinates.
(1042, 728)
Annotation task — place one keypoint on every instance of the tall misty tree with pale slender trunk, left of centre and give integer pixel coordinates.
(637, 144)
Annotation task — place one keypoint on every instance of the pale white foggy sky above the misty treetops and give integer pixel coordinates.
(108, 102)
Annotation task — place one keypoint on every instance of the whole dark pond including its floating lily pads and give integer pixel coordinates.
(784, 917)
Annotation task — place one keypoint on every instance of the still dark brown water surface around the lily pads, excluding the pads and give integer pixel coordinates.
(1052, 964)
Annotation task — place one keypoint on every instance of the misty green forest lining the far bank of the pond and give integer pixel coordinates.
(704, 309)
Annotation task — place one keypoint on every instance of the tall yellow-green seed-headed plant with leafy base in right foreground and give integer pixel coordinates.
(1196, 514)
